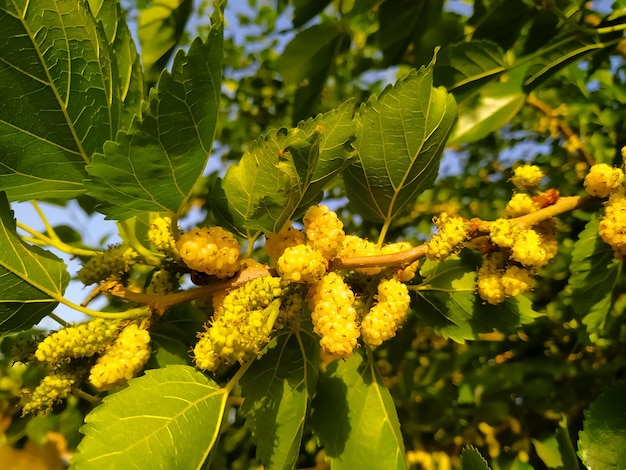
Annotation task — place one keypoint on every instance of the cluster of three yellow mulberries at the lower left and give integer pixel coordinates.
(108, 351)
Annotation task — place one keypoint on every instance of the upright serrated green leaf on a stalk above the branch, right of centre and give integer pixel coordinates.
(399, 138)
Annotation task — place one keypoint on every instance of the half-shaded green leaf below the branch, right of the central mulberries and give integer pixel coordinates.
(447, 301)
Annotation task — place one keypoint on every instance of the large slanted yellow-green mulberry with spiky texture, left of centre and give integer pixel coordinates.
(243, 323)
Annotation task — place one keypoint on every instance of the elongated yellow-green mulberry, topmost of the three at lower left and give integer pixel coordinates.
(82, 340)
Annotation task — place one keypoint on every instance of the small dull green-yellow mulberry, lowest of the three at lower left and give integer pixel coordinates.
(52, 389)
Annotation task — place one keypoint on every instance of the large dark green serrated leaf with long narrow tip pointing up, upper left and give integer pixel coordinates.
(155, 165)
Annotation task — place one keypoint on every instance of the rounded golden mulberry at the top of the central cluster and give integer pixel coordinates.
(324, 231)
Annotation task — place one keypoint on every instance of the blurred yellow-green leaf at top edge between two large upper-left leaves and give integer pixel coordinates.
(160, 28)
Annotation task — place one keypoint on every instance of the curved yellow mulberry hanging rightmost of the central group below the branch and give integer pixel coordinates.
(388, 314)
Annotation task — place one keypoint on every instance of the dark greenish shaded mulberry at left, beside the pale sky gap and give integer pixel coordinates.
(111, 263)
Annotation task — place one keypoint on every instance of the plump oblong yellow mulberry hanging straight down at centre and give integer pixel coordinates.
(334, 317)
